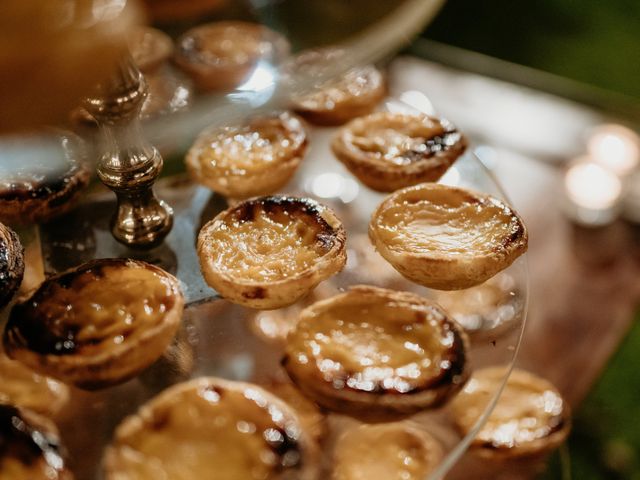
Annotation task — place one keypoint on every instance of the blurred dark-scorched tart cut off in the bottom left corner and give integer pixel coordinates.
(29, 447)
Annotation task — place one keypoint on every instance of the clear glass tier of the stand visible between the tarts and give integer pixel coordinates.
(222, 339)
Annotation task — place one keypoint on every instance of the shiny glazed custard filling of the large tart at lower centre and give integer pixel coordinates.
(373, 343)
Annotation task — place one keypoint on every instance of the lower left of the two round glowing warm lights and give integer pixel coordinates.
(591, 186)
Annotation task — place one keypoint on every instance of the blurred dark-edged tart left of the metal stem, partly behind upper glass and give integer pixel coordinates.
(42, 183)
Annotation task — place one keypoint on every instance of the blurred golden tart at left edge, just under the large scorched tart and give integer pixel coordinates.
(24, 388)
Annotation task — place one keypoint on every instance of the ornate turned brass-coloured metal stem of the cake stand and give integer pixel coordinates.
(129, 165)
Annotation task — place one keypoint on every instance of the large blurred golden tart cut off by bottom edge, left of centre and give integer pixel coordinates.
(212, 427)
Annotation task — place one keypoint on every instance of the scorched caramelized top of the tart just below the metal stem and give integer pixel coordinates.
(92, 309)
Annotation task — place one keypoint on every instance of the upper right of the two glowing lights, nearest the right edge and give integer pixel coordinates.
(615, 147)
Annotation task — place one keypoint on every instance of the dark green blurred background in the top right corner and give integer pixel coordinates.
(593, 41)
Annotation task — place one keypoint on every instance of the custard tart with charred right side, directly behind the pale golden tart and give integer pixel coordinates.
(388, 151)
